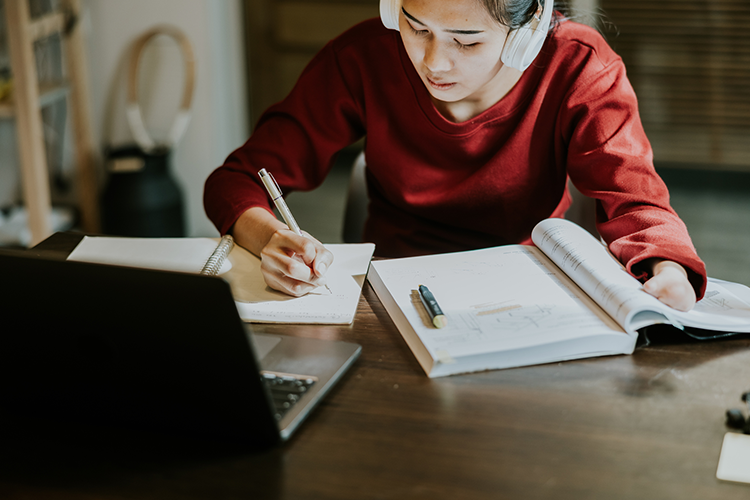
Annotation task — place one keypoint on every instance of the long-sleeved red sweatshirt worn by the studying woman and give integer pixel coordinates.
(438, 186)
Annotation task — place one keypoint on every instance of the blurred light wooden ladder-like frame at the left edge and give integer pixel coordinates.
(29, 97)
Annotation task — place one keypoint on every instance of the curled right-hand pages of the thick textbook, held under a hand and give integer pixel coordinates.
(601, 276)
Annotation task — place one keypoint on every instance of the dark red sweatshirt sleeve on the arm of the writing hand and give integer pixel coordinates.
(296, 140)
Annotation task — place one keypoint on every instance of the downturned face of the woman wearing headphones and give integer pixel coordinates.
(455, 46)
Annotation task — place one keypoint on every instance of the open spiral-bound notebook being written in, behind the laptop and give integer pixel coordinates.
(335, 303)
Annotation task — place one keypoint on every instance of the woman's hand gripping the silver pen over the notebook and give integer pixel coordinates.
(290, 263)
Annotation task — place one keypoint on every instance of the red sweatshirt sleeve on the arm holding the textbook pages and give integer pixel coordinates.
(610, 159)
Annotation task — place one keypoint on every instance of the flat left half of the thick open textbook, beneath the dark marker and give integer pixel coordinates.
(502, 299)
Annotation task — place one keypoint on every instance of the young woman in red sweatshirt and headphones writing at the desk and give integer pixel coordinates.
(473, 125)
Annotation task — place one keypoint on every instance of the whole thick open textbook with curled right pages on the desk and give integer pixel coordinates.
(517, 305)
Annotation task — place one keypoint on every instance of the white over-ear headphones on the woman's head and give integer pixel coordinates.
(522, 45)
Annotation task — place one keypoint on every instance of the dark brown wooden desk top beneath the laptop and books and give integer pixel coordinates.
(646, 426)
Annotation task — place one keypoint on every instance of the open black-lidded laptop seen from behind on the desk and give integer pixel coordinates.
(154, 350)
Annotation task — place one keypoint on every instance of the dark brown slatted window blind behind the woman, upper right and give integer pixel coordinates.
(689, 62)
